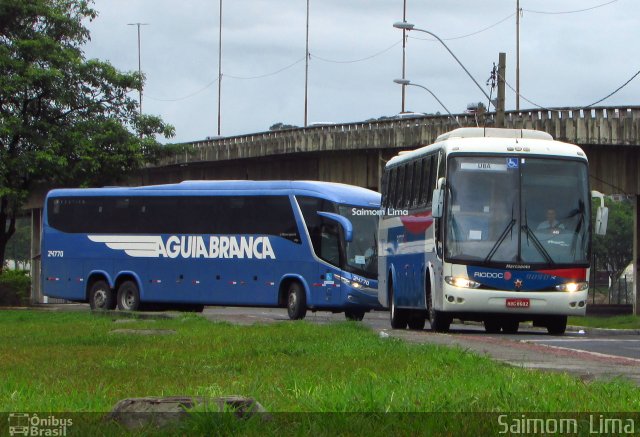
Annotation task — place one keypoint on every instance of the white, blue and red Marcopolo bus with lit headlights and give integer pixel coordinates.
(465, 231)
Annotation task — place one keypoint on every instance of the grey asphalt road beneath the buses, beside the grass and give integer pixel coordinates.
(588, 353)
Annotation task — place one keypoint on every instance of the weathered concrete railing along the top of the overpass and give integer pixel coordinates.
(614, 125)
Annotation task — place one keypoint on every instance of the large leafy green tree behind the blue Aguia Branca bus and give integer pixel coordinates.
(64, 119)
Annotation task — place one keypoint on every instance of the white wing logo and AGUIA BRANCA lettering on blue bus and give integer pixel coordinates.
(189, 246)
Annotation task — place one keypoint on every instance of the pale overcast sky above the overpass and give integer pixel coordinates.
(570, 59)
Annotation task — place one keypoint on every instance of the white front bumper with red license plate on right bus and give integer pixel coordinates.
(463, 300)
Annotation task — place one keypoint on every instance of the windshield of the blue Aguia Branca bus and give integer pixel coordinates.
(361, 252)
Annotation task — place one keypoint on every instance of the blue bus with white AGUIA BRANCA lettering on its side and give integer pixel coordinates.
(295, 244)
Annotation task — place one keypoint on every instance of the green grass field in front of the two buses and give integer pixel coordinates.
(71, 362)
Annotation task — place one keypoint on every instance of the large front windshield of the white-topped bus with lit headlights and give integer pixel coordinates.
(503, 210)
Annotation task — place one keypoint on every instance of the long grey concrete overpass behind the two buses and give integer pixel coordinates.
(355, 153)
